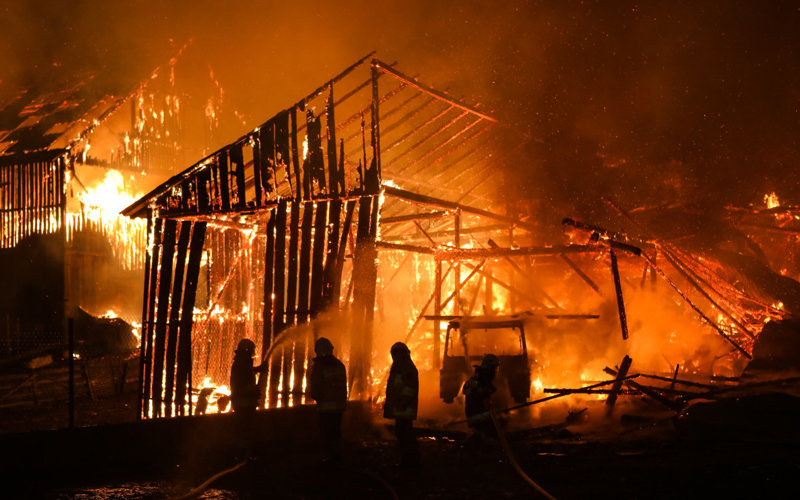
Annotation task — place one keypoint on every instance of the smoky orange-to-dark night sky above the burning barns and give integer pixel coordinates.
(662, 101)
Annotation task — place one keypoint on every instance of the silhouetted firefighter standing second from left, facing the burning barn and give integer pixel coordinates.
(328, 387)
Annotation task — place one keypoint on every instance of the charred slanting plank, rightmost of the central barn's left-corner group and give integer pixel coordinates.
(184, 372)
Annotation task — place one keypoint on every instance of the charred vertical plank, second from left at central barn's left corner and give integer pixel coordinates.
(162, 310)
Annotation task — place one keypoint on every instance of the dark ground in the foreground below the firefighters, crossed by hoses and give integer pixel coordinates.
(661, 465)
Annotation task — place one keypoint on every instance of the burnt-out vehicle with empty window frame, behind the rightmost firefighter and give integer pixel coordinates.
(469, 338)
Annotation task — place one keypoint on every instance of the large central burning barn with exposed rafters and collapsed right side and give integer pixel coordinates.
(375, 210)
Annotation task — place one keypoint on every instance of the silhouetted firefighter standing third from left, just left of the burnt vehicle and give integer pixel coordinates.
(402, 397)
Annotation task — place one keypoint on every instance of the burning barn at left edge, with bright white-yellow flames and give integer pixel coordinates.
(72, 154)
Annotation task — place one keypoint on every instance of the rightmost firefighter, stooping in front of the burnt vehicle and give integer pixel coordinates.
(478, 403)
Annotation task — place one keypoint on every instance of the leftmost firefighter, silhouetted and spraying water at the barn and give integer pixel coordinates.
(244, 390)
